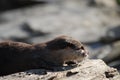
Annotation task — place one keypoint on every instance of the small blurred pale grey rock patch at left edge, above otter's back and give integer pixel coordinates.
(12, 30)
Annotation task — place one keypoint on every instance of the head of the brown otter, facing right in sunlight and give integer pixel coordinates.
(67, 49)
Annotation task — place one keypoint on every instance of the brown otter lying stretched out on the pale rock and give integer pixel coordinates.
(18, 56)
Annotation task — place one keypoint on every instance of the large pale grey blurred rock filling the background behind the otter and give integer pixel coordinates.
(72, 18)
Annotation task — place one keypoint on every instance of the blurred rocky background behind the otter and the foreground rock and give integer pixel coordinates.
(96, 23)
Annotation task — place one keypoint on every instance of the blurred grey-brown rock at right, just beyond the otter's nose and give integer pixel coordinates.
(110, 53)
